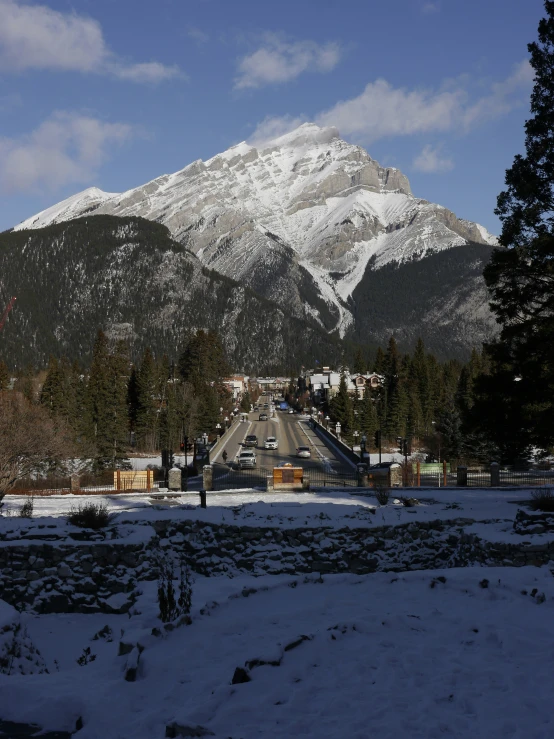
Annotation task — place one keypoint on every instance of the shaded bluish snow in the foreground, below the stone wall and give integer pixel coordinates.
(383, 655)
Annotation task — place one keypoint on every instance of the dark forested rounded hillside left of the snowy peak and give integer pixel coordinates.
(128, 277)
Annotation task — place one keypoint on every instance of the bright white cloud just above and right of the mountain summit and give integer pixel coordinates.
(385, 111)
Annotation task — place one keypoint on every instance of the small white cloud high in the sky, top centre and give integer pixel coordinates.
(278, 61)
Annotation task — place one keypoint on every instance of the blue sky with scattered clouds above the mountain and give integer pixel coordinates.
(113, 93)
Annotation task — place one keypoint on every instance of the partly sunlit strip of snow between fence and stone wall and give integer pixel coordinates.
(335, 508)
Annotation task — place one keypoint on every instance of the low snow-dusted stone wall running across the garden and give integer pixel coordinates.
(100, 572)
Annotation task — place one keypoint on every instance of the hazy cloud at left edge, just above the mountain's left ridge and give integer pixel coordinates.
(66, 148)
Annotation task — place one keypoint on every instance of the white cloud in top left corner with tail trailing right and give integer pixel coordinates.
(37, 37)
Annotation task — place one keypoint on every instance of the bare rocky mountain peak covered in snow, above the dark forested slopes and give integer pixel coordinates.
(300, 219)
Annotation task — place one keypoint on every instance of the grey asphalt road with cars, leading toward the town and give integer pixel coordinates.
(292, 431)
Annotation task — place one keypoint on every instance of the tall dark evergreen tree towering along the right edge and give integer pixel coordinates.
(521, 277)
